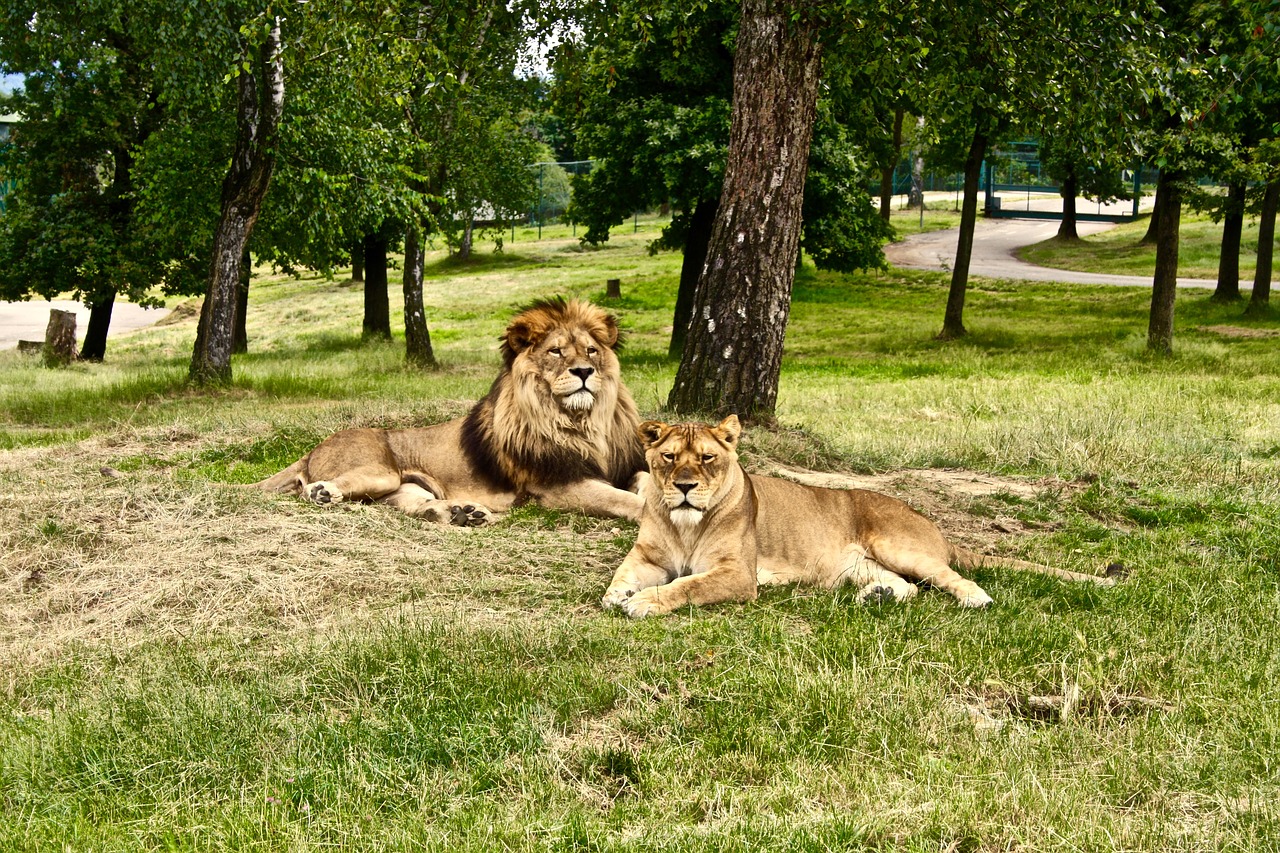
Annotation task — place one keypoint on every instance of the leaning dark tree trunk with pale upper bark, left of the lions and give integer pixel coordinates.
(260, 101)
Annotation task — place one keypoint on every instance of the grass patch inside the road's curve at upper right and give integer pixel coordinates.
(1122, 252)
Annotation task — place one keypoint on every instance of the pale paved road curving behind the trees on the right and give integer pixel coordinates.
(994, 245)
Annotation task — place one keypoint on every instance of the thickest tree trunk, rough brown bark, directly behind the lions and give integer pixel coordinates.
(734, 353)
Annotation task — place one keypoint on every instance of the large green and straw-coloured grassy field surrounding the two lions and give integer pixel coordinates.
(186, 665)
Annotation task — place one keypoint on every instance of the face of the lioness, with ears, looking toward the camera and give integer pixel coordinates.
(692, 464)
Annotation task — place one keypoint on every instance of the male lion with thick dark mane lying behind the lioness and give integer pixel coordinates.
(557, 426)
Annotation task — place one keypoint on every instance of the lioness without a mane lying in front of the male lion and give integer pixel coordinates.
(711, 532)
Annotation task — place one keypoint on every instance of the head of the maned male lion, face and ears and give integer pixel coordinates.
(566, 349)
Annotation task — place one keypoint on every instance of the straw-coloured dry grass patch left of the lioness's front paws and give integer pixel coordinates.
(129, 558)
